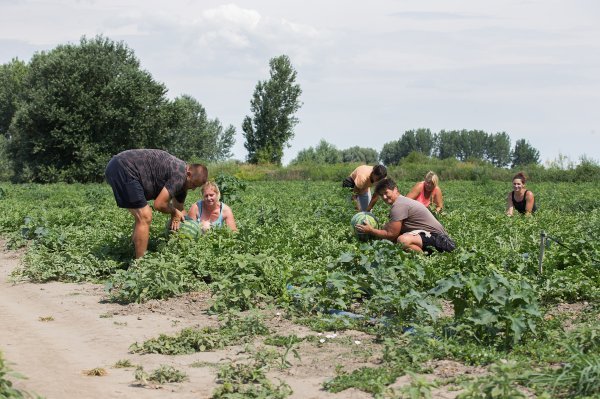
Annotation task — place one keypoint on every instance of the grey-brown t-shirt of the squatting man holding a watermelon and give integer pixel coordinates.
(414, 216)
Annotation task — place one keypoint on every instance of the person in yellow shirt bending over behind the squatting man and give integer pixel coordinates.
(360, 180)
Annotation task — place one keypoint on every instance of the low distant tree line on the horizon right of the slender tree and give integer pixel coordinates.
(463, 145)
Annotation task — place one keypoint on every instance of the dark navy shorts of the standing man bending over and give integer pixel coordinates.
(128, 192)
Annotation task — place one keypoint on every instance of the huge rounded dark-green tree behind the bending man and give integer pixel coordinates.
(80, 105)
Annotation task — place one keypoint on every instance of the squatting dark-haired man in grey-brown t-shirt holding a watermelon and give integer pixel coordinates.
(411, 224)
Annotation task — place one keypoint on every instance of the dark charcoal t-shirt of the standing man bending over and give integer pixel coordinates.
(155, 169)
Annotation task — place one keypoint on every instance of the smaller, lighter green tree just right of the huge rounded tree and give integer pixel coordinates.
(194, 135)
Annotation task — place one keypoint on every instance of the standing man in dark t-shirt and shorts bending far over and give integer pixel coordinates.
(137, 176)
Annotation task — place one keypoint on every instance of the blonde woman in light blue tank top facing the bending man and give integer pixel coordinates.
(209, 211)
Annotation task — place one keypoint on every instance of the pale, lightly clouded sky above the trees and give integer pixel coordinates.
(368, 71)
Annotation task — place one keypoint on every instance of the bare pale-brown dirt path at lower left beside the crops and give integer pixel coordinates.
(86, 333)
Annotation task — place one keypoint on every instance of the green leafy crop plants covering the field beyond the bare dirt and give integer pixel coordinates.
(295, 250)
